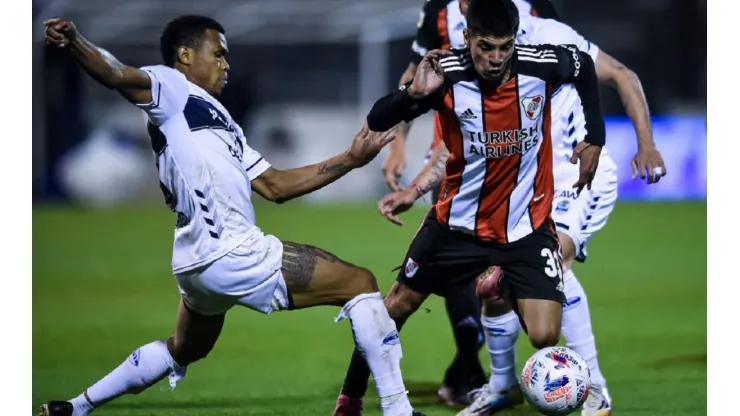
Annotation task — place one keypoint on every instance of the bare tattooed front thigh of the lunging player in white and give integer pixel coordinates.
(316, 277)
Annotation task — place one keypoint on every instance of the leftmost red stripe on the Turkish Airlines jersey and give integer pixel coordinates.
(449, 126)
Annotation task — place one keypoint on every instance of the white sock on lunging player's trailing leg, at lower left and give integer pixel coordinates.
(142, 369)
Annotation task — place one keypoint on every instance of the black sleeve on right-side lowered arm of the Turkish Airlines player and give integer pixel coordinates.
(576, 67)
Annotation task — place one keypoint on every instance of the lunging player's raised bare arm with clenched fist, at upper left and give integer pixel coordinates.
(133, 83)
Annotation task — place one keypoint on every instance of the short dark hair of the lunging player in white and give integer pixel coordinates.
(187, 31)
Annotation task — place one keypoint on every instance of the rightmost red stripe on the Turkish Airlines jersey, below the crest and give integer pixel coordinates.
(540, 209)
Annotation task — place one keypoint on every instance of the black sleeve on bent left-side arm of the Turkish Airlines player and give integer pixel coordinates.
(399, 106)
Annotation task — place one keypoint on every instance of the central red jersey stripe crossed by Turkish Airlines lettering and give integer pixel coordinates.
(501, 111)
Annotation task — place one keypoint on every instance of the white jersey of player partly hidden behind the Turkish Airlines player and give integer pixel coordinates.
(568, 122)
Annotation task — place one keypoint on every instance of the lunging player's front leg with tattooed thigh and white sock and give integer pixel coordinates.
(316, 277)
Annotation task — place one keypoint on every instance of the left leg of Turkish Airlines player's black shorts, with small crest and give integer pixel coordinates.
(440, 260)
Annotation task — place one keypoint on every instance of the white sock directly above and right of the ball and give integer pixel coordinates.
(576, 328)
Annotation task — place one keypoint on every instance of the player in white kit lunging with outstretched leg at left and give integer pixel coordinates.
(220, 256)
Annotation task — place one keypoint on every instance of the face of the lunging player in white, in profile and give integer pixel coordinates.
(208, 66)
